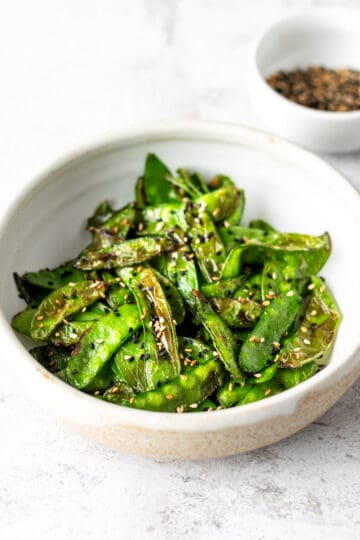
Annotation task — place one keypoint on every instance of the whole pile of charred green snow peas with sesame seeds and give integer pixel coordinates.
(176, 306)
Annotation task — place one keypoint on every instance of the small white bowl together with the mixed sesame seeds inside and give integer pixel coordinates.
(304, 79)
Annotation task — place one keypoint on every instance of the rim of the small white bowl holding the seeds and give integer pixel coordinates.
(321, 12)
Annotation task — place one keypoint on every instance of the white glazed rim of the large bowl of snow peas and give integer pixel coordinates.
(202, 421)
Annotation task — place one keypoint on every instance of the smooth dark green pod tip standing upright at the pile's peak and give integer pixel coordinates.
(157, 189)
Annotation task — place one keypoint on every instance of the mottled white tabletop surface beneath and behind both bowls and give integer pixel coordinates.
(76, 70)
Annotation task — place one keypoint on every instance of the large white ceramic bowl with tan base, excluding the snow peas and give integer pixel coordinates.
(290, 187)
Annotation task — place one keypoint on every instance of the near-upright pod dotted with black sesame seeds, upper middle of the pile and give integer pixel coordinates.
(205, 242)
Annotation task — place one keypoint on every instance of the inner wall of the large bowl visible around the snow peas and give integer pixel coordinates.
(288, 187)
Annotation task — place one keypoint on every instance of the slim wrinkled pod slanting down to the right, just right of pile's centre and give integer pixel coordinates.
(222, 338)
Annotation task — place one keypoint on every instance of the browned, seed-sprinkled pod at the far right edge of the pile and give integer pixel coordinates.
(314, 339)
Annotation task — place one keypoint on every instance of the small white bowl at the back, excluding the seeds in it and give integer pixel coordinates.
(319, 36)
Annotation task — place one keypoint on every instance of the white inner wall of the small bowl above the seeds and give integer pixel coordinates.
(329, 38)
